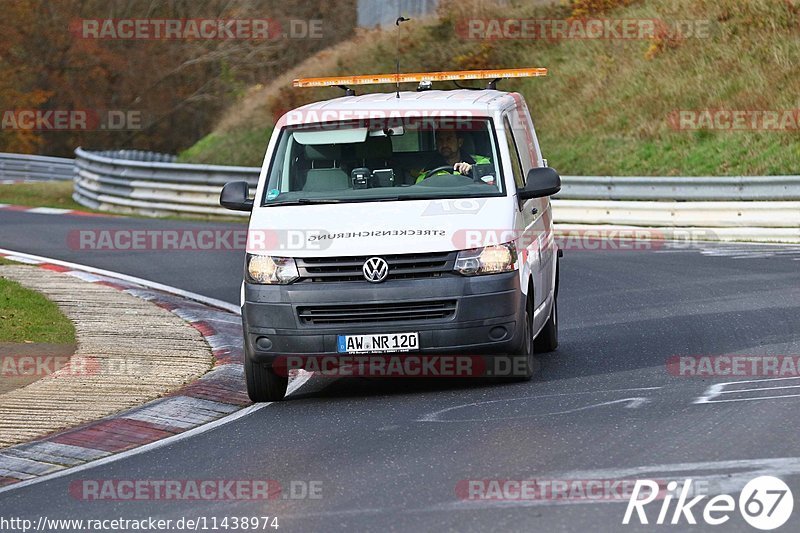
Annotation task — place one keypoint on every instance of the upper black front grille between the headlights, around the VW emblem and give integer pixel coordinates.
(401, 266)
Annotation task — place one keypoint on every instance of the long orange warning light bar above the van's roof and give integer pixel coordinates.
(371, 79)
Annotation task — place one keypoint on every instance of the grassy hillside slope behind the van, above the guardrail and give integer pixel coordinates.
(607, 107)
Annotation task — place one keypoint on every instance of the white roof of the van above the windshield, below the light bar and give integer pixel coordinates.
(481, 102)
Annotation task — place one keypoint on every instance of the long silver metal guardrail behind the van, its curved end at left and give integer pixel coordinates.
(105, 181)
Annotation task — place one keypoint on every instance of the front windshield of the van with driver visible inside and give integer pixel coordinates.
(352, 162)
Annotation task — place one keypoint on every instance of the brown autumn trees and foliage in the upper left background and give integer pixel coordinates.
(177, 87)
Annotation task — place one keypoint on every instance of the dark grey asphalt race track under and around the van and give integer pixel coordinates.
(389, 455)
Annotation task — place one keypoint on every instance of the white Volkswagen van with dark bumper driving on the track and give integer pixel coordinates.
(406, 223)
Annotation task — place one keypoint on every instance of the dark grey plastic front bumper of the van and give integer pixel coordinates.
(488, 315)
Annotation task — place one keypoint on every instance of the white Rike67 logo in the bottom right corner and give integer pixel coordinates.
(765, 503)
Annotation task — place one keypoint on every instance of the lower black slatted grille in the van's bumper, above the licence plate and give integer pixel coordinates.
(389, 312)
